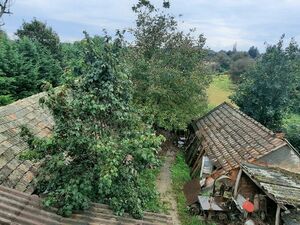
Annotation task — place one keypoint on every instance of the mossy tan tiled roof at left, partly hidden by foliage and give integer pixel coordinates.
(14, 172)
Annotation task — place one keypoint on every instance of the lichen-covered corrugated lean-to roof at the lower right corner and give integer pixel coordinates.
(283, 186)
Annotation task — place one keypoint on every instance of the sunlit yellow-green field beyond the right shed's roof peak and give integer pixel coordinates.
(219, 90)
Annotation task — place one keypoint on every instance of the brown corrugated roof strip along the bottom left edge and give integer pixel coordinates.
(24, 209)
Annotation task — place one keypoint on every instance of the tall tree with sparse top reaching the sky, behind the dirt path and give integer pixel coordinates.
(167, 66)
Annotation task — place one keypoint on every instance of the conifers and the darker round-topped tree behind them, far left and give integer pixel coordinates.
(27, 62)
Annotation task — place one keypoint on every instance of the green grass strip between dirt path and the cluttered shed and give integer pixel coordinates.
(180, 175)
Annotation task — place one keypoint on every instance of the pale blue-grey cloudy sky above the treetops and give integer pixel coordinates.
(223, 22)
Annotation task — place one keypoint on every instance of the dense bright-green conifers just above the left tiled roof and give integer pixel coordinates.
(24, 66)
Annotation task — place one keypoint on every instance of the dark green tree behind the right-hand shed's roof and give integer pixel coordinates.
(265, 91)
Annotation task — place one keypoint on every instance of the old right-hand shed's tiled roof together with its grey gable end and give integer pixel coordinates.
(225, 137)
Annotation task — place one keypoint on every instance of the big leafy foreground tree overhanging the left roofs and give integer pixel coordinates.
(100, 147)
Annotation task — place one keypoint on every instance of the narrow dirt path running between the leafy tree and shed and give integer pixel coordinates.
(164, 183)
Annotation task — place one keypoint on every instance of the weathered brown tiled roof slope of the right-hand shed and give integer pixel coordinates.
(229, 137)
